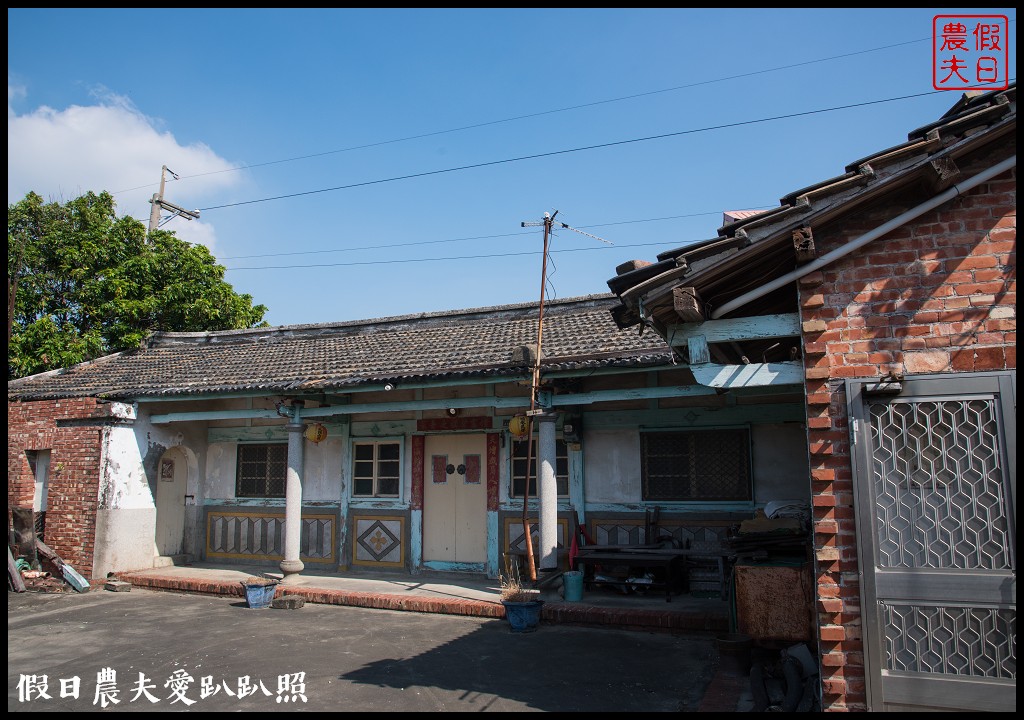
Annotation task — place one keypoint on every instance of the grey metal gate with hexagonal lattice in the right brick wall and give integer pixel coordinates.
(934, 462)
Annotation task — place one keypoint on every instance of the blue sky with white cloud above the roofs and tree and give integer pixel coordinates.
(254, 105)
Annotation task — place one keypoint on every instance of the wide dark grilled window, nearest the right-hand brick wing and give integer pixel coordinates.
(697, 465)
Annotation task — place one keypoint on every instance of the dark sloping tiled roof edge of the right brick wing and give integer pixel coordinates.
(758, 245)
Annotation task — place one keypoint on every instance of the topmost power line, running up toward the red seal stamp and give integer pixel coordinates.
(542, 113)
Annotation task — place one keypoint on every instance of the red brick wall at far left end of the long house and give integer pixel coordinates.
(74, 481)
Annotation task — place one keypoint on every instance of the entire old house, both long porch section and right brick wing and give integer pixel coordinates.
(852, 351)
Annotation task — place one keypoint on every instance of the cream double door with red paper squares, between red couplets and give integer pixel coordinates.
(455, 499)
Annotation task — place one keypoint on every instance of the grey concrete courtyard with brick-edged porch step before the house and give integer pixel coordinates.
(444, 647)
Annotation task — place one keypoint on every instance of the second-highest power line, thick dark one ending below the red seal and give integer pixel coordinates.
(537, 156)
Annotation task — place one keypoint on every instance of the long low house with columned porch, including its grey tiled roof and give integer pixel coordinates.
(396, 433)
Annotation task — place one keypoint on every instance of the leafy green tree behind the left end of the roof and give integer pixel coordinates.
(88, 283)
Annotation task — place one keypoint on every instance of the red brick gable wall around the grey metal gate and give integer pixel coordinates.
(935, 297)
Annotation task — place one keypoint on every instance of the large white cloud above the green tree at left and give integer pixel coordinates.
(113, 147)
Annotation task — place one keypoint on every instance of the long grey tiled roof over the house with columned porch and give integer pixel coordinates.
(579, 333)
